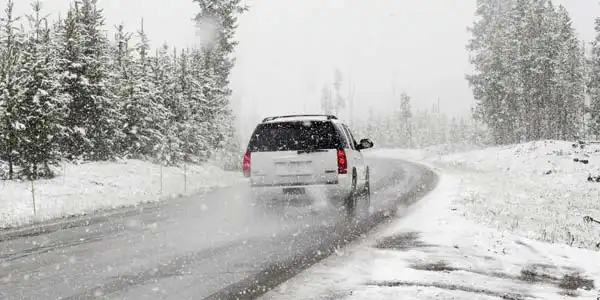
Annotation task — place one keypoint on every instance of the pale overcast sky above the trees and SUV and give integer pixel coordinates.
(289, 48)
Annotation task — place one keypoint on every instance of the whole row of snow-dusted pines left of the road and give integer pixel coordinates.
(68, 91)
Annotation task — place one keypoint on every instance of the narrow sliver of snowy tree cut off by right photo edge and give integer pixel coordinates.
(593, 83)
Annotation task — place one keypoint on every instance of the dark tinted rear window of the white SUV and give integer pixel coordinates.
(293, 136)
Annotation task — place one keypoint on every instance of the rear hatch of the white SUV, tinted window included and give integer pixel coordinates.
(294, 153)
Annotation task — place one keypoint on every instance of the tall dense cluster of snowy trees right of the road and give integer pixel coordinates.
(529, 74)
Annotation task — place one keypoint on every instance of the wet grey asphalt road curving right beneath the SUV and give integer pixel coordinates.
(215, 246)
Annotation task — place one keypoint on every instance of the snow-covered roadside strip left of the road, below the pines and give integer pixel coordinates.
(102, 185)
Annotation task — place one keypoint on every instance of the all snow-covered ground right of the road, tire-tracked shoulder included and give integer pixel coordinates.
(498, 226)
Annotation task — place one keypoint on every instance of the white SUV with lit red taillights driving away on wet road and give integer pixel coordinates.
(308, 156)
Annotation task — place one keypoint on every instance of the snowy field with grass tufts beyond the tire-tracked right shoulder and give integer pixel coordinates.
(536, 189)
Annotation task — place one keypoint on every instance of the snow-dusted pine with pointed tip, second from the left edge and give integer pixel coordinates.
(42, 108)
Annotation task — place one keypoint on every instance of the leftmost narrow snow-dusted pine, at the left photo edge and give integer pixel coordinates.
(11, 44)
